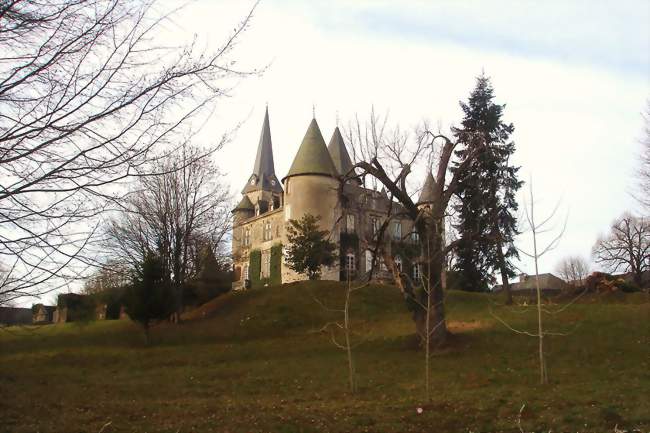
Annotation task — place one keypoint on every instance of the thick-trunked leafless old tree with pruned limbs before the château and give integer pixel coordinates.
(389, 156)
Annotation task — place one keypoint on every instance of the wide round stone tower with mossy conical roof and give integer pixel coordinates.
(311, 187)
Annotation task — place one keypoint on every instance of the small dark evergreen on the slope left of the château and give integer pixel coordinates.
(150, 297)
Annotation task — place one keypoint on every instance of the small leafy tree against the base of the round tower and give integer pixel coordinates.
(309, 248)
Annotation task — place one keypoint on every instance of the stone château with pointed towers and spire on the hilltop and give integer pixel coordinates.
(353, 214)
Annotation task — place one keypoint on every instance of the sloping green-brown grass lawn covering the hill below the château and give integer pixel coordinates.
(255, 362)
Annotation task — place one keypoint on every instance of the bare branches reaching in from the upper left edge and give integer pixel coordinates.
(88, 100)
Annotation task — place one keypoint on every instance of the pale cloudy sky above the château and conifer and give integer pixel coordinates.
(575, 76)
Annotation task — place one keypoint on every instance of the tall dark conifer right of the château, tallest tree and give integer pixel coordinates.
(487, 222)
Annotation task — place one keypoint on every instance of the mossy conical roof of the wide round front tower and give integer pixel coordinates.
(312, 156)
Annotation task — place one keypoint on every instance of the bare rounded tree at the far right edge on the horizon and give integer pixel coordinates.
(626, 247)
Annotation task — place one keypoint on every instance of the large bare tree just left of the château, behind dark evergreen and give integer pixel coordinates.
(176, 215)
